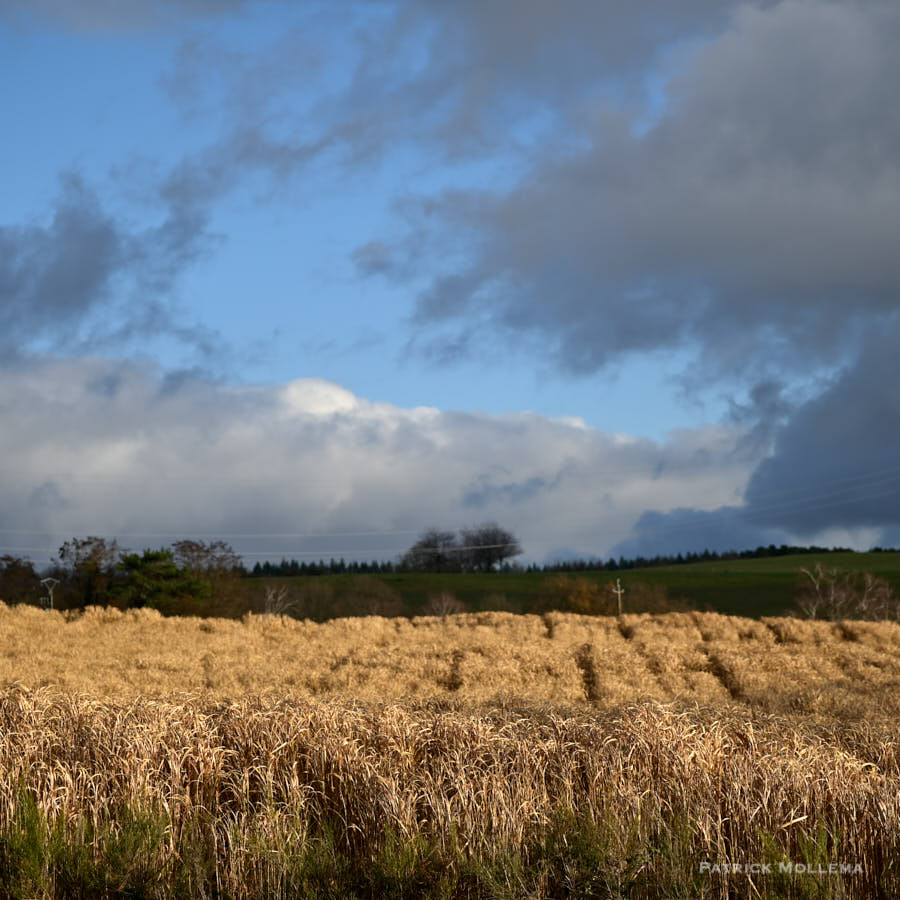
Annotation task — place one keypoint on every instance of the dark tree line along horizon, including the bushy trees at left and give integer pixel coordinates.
(187, 575)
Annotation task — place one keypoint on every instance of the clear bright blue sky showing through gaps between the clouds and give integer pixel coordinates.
(279, 286)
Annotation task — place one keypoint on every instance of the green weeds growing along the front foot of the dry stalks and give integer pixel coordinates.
(146, 855)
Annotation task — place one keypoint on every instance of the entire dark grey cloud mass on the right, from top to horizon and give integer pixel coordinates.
(751, 218)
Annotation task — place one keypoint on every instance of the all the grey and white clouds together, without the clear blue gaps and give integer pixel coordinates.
(714, 177)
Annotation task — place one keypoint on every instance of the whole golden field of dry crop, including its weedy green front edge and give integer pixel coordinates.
(484, 754)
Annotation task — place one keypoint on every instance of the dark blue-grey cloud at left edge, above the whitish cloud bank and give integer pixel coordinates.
(84, 280)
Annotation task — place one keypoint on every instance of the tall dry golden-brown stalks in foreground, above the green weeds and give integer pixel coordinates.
(474, 780)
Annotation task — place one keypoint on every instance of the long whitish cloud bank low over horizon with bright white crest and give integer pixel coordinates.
(97, 446)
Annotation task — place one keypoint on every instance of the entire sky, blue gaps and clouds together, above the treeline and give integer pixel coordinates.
(314, 277)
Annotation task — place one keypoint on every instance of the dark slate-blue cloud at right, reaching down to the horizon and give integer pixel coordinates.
(833, 474)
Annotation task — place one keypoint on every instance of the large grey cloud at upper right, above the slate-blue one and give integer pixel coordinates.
(752, 221)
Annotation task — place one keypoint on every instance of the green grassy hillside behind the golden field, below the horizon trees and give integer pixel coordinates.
(745, 587)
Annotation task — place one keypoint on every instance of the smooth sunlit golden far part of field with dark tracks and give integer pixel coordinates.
(841, 670)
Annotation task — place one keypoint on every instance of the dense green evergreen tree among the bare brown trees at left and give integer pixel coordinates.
(153, 579)
